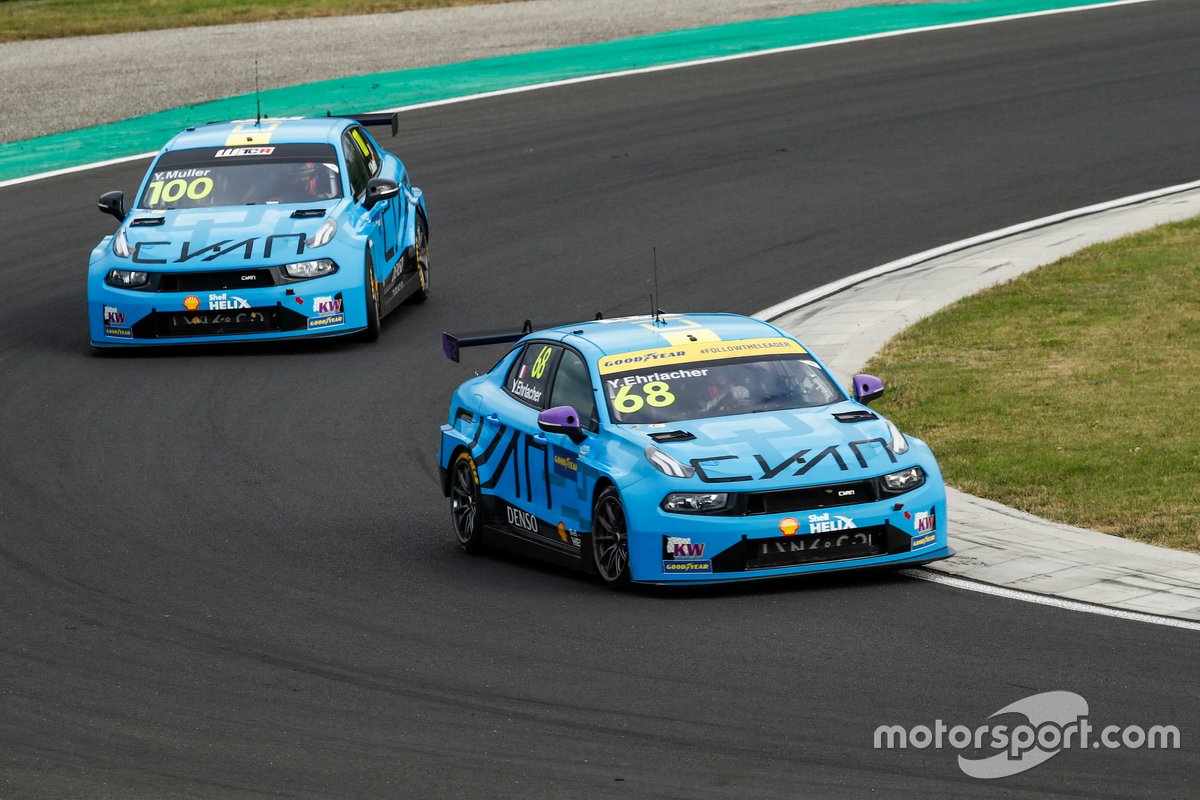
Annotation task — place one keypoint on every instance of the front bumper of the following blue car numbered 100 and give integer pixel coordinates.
(331, 306)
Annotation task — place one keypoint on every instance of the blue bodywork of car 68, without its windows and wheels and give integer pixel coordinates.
(541, 488)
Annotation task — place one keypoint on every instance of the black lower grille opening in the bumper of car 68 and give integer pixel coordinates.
(813, 549)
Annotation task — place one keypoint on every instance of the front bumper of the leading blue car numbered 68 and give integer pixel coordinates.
(704, 549)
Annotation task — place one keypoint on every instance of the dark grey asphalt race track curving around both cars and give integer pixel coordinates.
(230, 574)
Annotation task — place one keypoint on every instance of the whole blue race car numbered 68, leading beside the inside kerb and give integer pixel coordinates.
(683, 449)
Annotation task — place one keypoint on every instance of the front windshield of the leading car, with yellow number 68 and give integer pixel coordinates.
(689, 392)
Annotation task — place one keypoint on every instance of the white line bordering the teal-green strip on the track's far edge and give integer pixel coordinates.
(625, 74)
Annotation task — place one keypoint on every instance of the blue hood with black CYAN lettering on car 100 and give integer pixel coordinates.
(223, 238)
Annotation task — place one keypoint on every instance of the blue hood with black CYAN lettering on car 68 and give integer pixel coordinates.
(779, 449)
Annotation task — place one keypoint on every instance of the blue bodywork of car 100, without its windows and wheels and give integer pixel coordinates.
(236, 242)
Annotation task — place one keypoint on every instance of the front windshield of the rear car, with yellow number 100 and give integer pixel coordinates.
(223, 177)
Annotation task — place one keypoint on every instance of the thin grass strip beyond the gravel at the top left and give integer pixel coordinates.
(26, 20)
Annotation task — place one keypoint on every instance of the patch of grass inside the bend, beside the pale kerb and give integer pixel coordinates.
(1072, 393)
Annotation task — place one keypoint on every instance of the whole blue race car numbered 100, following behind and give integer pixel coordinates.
(261, 231)
